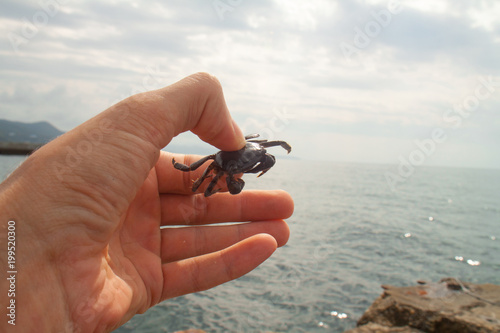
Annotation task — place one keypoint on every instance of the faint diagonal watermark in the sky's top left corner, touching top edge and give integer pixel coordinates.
(31, 26)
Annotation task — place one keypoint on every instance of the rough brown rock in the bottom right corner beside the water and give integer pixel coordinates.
(447, 306)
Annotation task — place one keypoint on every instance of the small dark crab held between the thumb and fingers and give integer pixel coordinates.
(253, 158)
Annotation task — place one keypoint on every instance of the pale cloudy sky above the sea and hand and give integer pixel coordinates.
(395, 82)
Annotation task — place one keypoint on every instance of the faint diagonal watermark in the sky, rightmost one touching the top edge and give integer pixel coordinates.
(364, 36)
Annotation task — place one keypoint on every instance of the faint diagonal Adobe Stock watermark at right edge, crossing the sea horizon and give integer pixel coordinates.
(454, 117)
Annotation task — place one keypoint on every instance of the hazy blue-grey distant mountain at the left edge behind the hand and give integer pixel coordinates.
(40, 132)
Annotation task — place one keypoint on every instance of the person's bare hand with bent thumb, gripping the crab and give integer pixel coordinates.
(89, 205)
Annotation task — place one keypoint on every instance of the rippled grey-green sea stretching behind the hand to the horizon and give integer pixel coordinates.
(351, 232)
